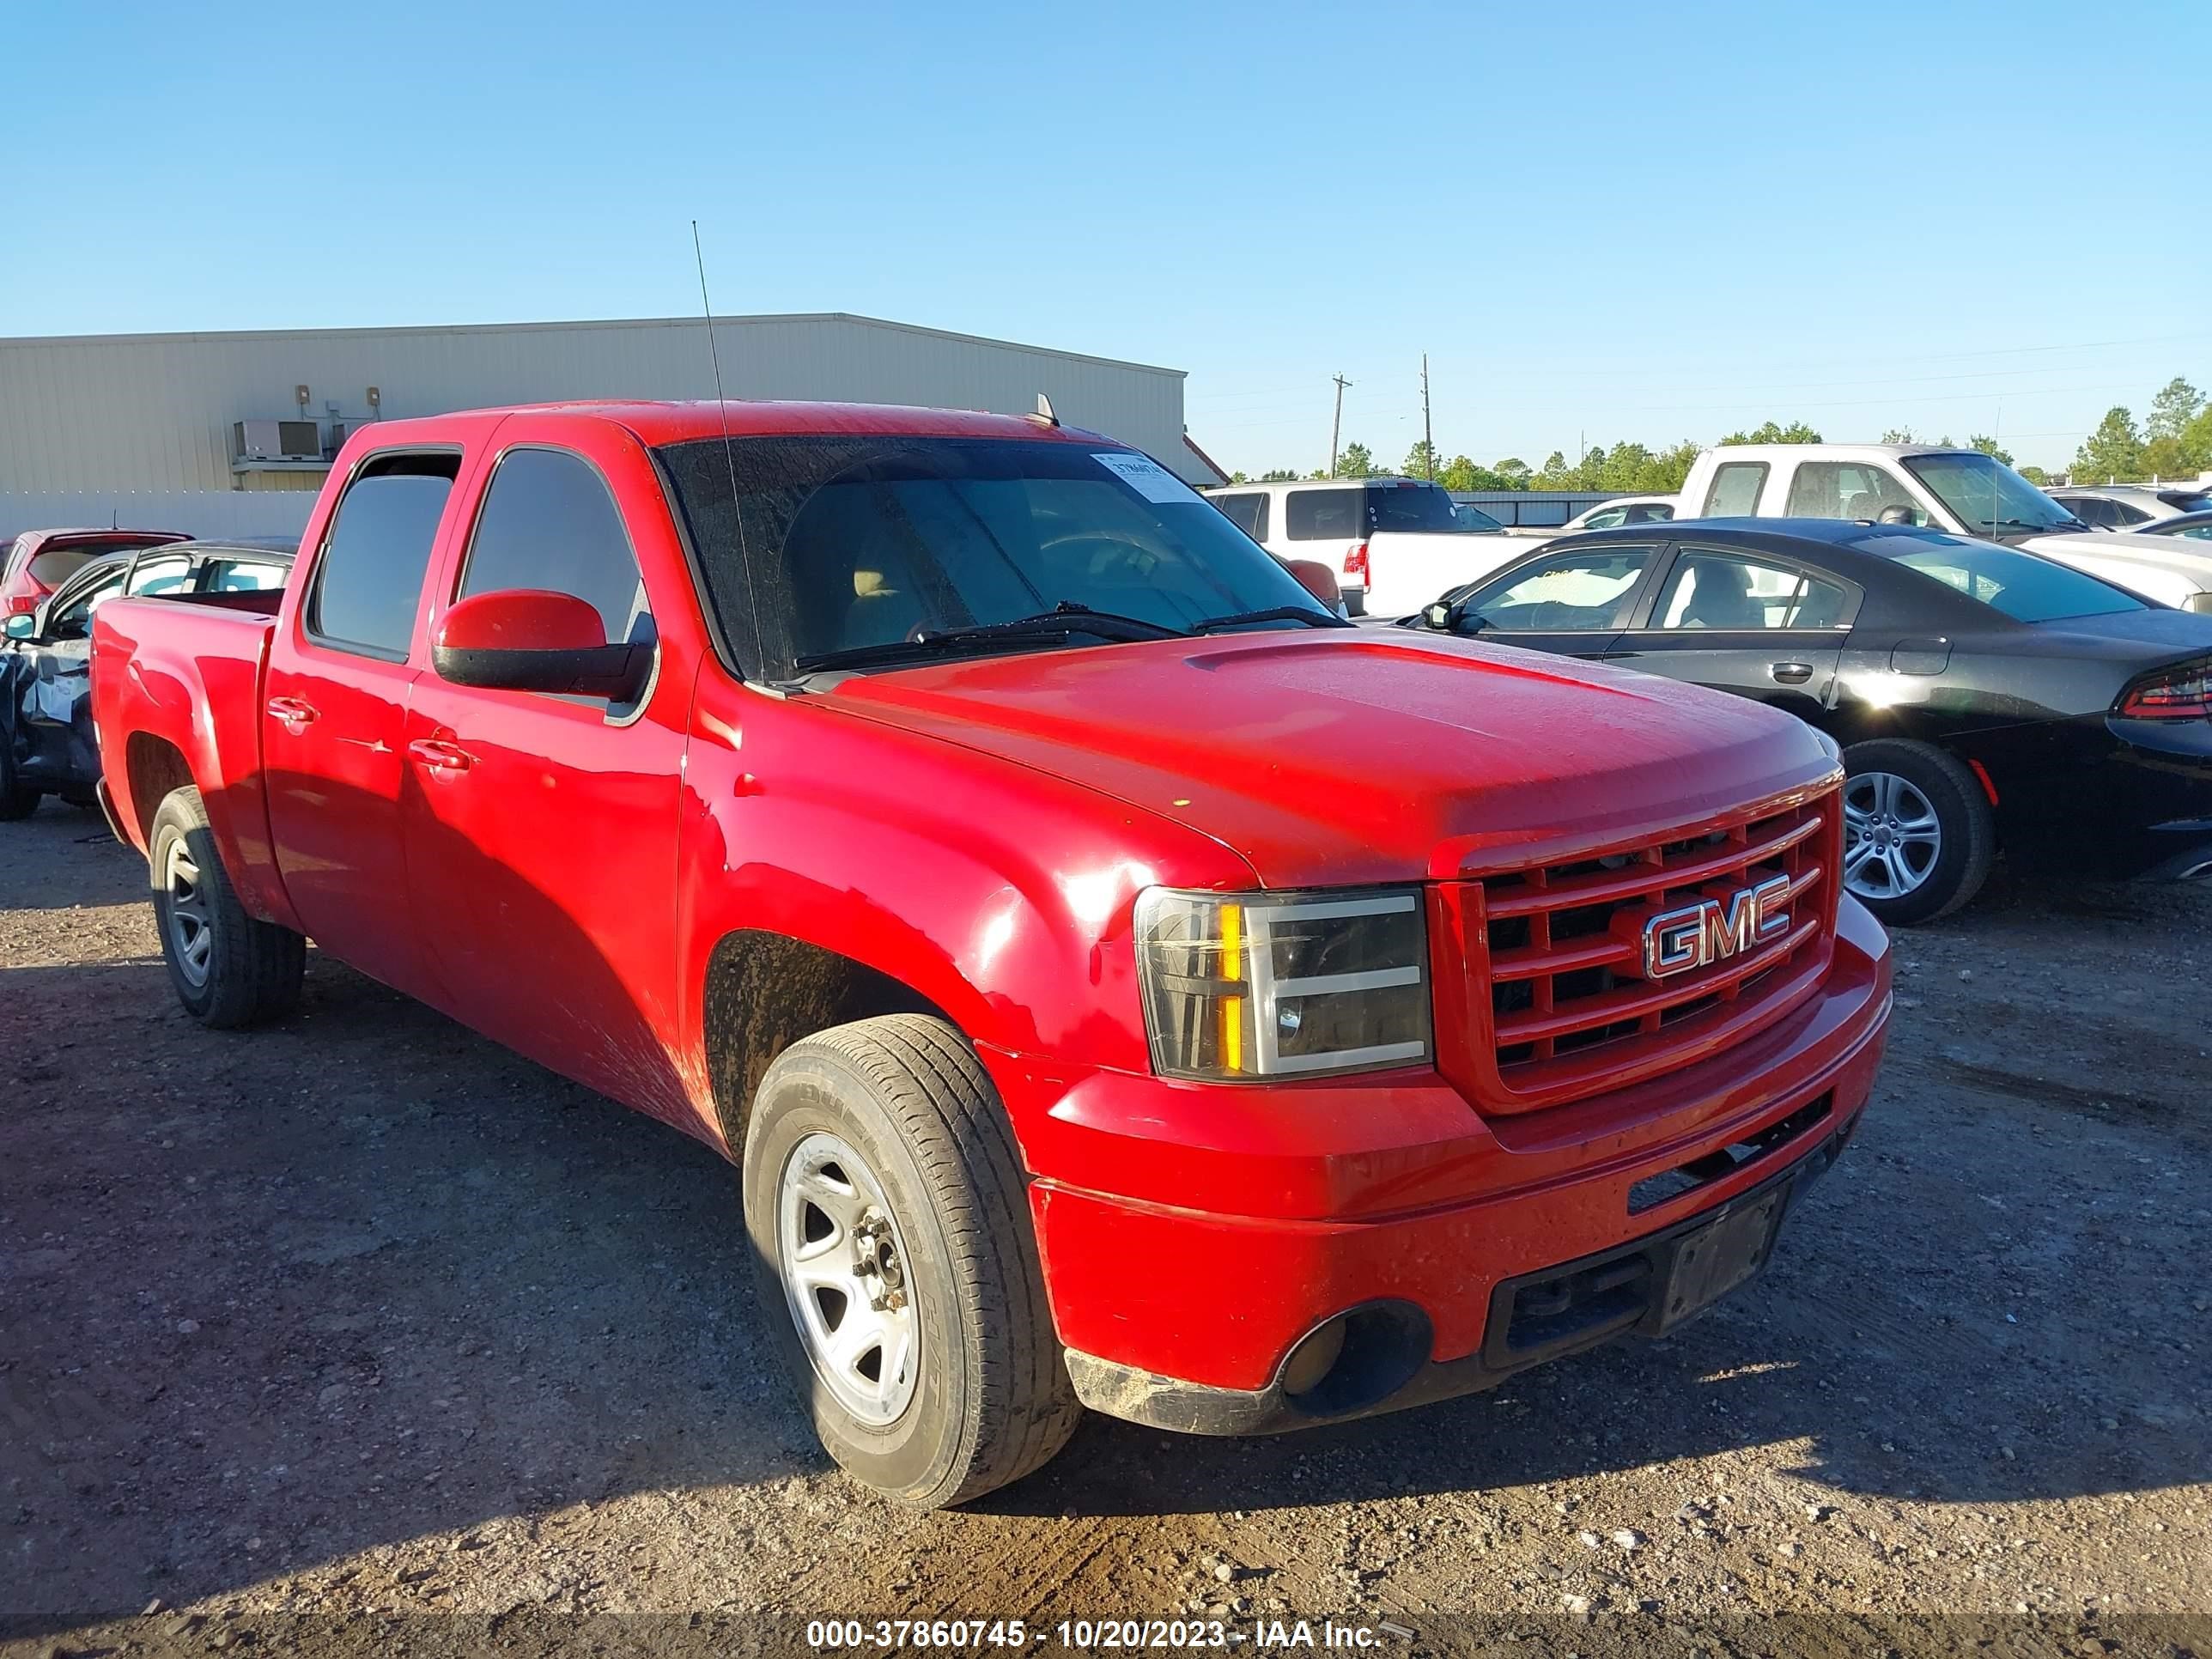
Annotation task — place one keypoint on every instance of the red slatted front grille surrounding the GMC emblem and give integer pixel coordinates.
(1572, 1008)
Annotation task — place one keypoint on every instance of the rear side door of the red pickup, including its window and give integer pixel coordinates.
(335, 713)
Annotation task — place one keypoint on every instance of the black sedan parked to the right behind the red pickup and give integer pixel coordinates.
(1985, 698)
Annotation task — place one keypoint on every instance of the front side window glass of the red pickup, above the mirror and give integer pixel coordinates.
(550, 523)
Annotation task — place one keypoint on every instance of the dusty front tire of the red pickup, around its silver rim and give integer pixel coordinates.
(992, 1397)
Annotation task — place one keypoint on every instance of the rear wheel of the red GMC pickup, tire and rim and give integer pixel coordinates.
(249, 970)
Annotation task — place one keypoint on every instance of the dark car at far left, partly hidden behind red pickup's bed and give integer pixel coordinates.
(48, 740)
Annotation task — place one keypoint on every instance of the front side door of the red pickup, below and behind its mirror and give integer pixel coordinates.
(543, 831)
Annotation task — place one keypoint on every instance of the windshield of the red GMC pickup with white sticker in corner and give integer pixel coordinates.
(859, 543)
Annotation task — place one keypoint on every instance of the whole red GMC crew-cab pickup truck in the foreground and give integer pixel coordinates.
(1120, 981)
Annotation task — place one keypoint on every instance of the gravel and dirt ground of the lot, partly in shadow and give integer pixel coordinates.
(313, 1333)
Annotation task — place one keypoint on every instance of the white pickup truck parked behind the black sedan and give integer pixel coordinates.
(1957, 490)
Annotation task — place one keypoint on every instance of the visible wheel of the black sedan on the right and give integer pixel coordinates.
(1919, 835)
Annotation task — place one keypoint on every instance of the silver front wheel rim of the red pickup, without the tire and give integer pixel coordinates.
(846, 1280)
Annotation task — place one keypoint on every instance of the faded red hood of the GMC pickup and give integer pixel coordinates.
(1361, 755)
